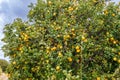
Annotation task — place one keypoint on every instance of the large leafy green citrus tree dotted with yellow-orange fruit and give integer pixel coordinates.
(65, 39)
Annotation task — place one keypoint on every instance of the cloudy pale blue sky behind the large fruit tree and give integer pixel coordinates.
(11, 9)
